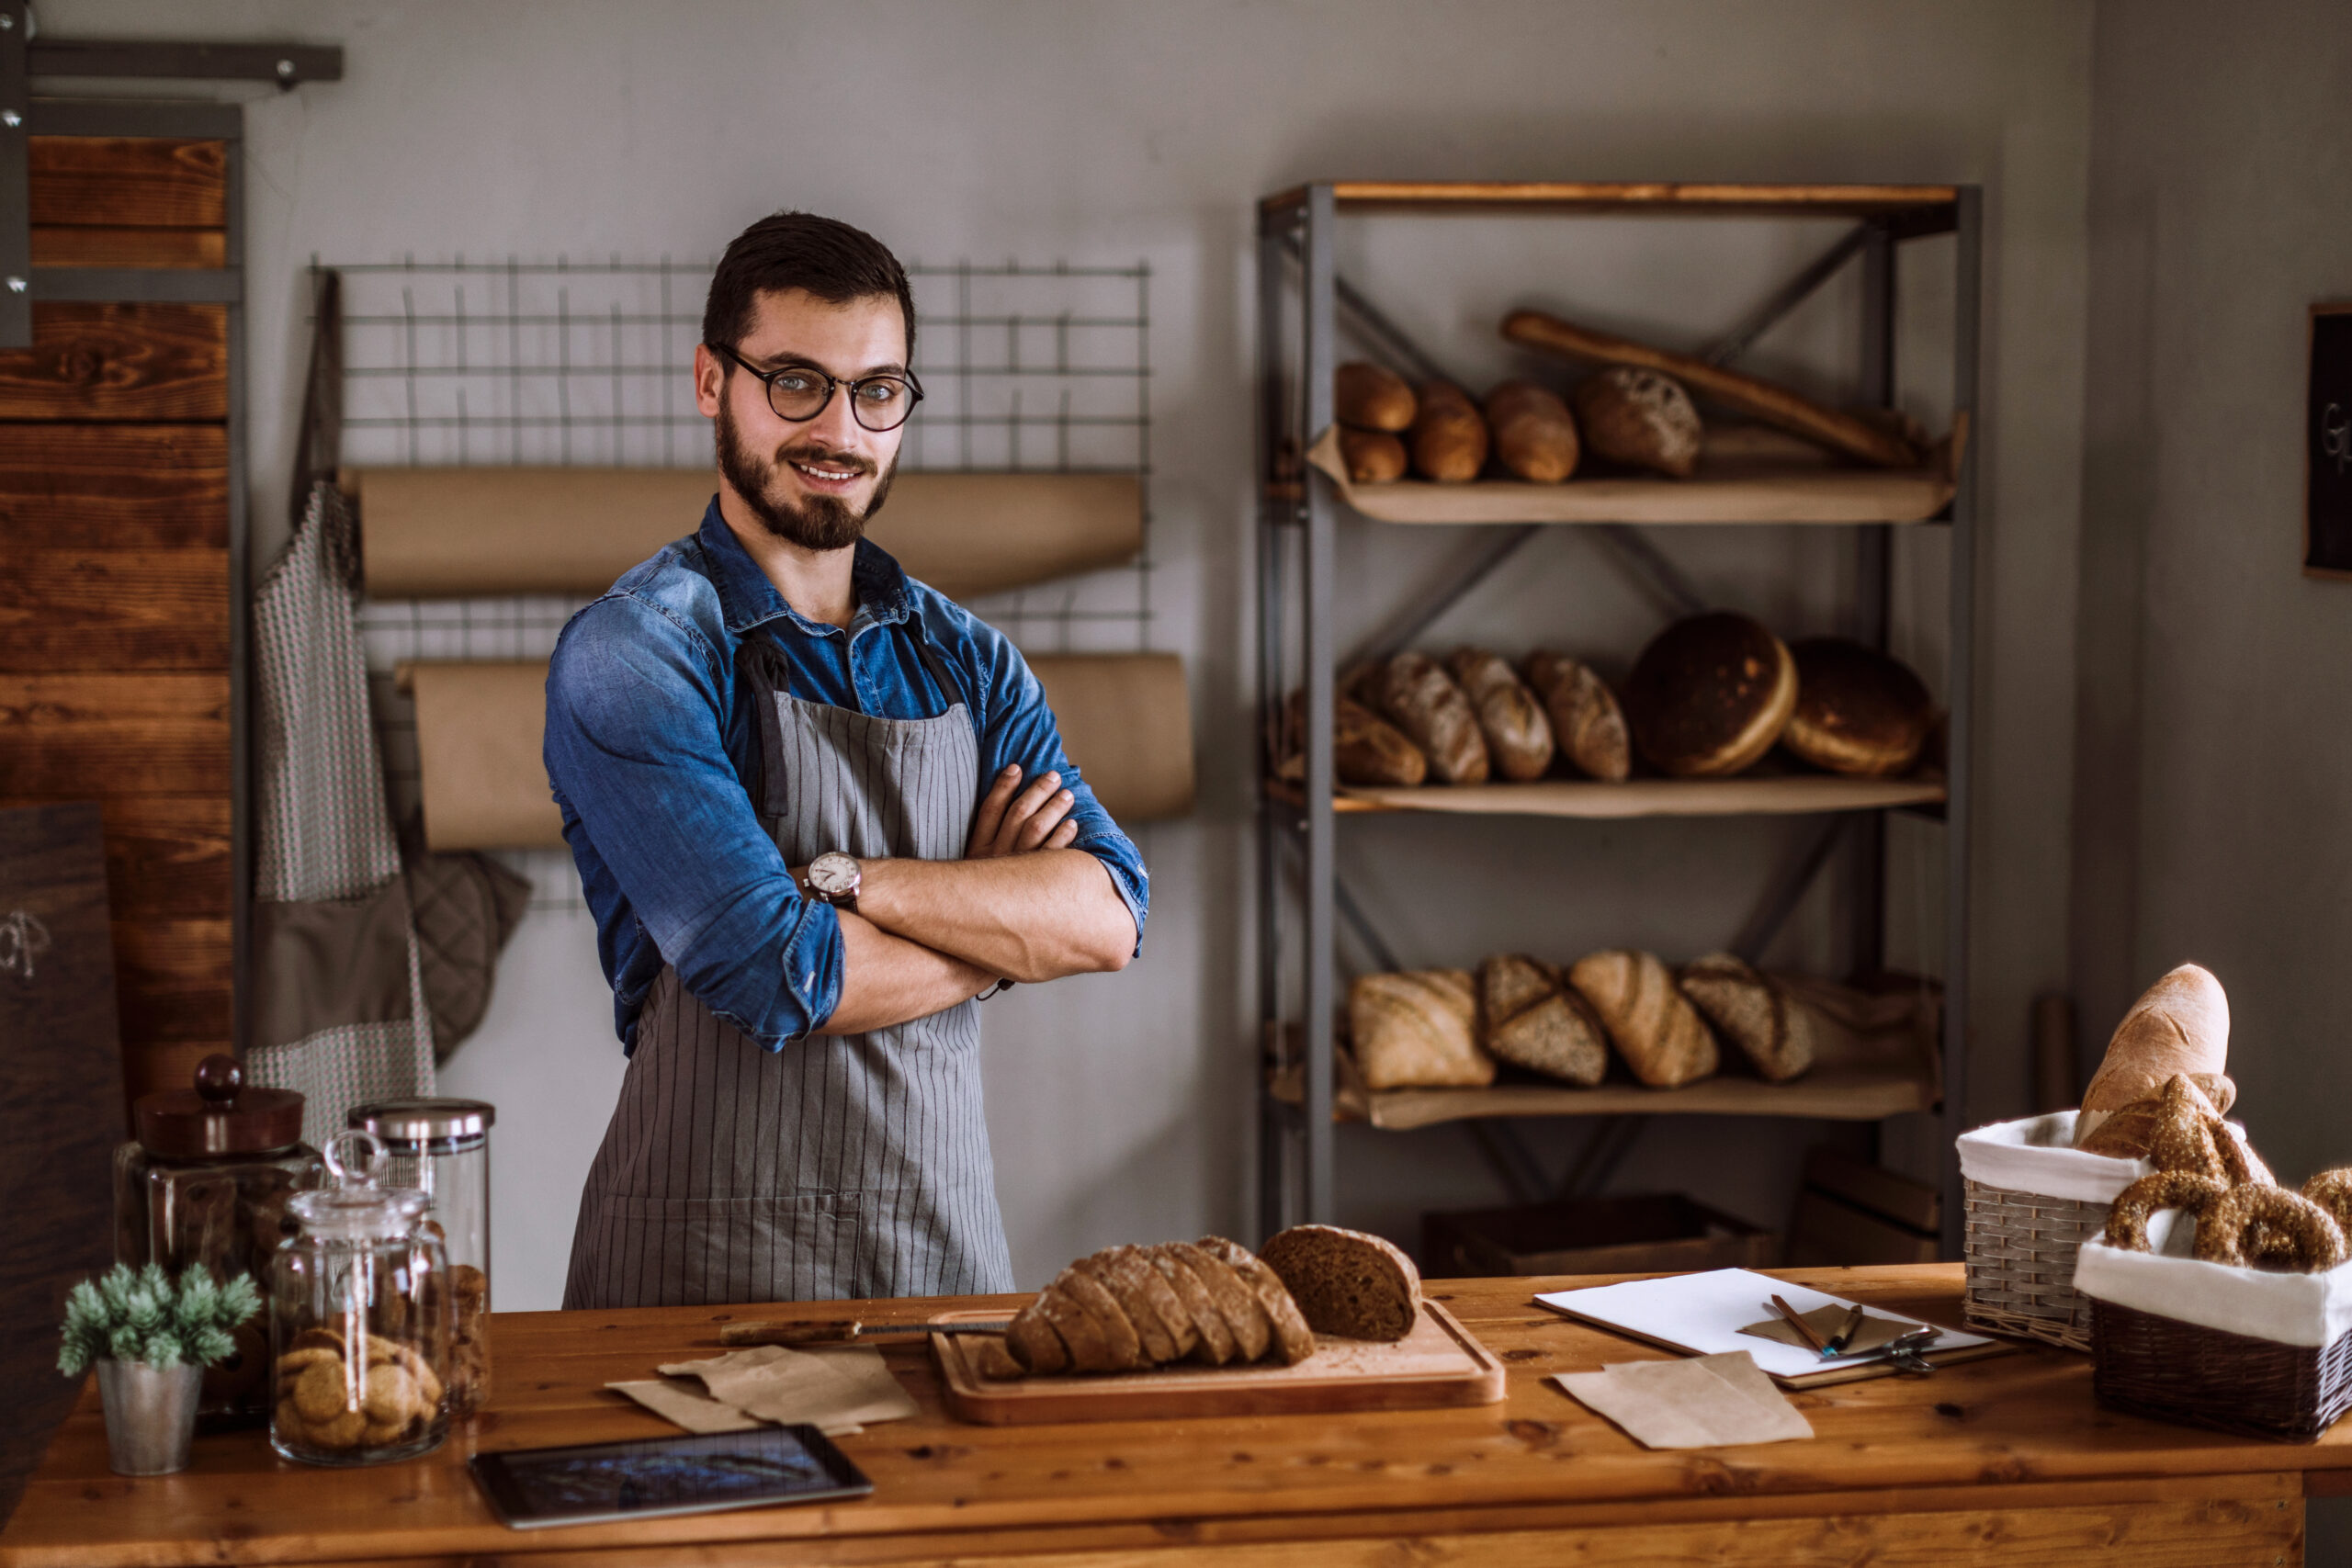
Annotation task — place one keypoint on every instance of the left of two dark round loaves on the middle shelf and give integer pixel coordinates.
(1711, 695)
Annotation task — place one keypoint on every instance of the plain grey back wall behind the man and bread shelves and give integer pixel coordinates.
(1118, 130)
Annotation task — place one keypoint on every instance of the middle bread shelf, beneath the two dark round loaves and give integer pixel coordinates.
(1591, 798)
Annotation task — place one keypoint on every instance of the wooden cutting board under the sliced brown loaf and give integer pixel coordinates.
(1438, 1365)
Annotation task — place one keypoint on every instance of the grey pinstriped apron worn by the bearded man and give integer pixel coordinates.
(843, 1167)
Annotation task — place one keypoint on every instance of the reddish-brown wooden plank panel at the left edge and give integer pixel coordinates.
(114, 577)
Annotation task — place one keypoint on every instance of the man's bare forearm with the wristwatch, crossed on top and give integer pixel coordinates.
(1027, 918)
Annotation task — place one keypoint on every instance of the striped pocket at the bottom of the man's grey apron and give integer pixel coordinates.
(716, 1252)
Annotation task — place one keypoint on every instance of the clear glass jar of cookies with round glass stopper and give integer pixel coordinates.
(359, 1320)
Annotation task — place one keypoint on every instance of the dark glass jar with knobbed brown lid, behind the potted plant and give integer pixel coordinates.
(208, 1181)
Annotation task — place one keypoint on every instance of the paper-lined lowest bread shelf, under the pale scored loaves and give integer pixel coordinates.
(1829, 1094)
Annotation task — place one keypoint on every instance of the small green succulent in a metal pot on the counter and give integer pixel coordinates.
(152, 1341)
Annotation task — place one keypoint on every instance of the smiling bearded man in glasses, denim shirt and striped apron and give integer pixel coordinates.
(817, 810)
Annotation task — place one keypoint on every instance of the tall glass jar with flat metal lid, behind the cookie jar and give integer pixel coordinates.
(441, 1148)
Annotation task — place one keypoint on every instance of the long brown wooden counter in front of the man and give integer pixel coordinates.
(1998, 1461)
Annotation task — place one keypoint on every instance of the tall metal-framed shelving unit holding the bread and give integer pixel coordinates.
(1299, 309)
